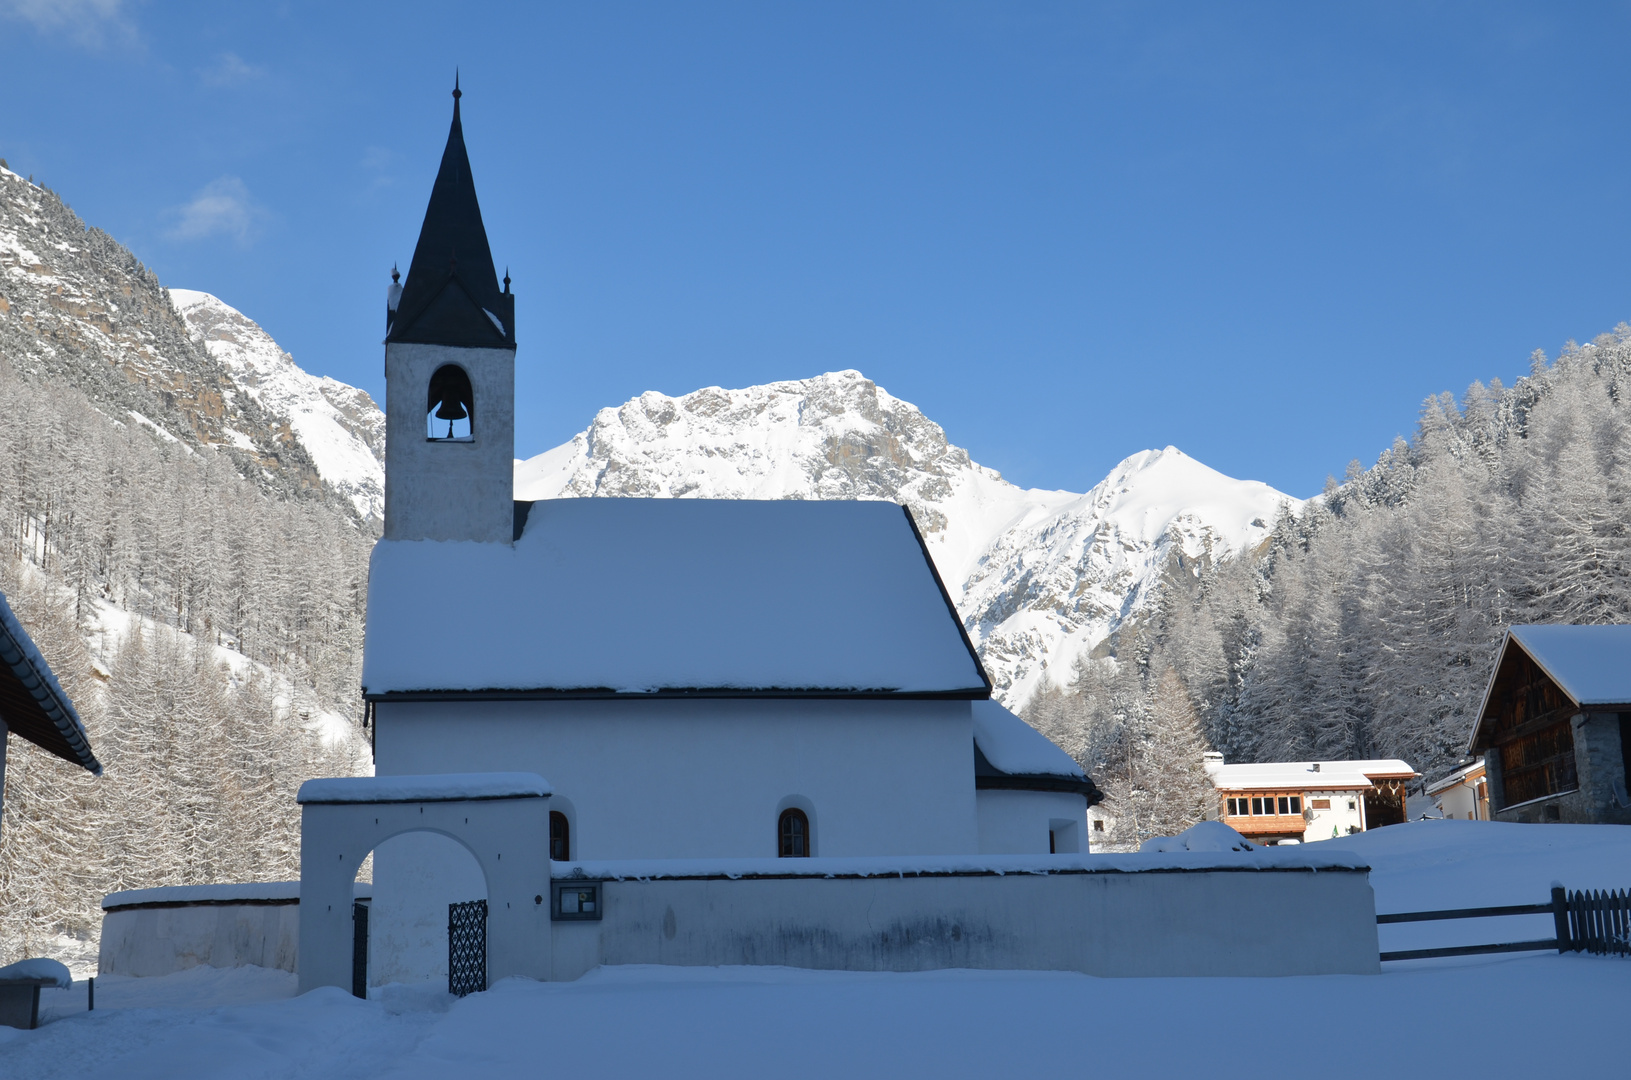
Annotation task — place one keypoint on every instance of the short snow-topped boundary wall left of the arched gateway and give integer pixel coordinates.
(159, 932)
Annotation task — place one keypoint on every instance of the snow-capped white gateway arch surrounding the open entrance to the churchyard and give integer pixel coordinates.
(500, 818)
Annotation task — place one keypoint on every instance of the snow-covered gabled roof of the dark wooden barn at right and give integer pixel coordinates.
(1591, 665)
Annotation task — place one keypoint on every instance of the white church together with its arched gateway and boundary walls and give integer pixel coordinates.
(683, 732)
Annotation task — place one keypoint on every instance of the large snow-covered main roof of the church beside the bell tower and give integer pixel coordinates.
(640, 596)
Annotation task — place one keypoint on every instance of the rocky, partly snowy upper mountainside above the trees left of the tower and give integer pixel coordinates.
(79, 308)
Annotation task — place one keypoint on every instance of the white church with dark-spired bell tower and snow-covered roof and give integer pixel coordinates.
(696, 679)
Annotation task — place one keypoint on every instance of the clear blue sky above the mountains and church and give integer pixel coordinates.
(1067, 232)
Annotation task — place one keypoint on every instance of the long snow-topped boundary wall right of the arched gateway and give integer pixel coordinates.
(1231, 914)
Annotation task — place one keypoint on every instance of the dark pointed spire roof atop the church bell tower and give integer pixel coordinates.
(453, 293)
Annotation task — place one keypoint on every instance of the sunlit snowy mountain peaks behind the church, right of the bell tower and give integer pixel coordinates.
(1038, 575)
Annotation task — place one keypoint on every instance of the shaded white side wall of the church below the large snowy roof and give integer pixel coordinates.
(705, 779)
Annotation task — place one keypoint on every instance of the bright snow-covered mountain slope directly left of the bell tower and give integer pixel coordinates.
(338, 425)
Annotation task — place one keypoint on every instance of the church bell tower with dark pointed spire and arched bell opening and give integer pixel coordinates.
(451, 374)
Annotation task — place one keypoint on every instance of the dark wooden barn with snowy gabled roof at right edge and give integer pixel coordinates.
(1555, 727)
